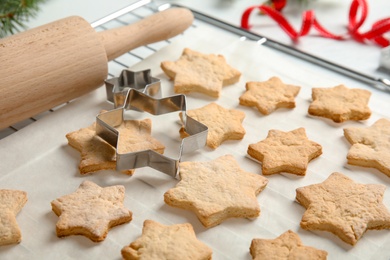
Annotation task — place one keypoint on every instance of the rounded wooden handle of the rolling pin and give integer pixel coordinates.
(158, 27)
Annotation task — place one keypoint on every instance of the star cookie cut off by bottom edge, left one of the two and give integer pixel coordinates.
(167, 242)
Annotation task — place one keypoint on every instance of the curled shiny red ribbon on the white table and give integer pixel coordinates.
(309, 20)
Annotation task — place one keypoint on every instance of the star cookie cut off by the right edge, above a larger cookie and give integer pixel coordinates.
(370, 146)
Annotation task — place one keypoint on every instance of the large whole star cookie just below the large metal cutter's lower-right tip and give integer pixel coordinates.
(217, 190)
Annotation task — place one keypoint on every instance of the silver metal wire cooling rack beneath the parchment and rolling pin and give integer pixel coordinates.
(144, 8)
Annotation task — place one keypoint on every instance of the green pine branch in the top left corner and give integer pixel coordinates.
(15, 13)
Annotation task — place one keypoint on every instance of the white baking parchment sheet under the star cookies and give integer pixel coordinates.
(38, 160)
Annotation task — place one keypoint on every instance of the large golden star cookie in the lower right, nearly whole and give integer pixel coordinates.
(343, 207)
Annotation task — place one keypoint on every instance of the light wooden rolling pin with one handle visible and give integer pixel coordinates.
(57, 62)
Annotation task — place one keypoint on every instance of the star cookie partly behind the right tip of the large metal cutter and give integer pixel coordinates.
(224, 124)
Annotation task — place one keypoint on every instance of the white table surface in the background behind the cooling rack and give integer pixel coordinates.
(332, 14)
